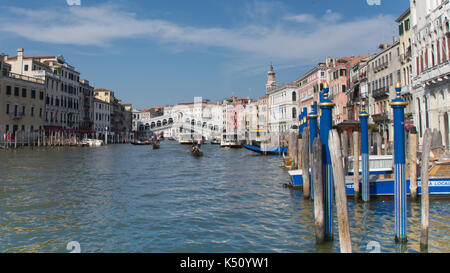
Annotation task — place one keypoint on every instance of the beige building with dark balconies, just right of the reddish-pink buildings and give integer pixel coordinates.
(384, 70)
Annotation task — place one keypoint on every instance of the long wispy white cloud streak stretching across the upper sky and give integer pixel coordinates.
(102, 25)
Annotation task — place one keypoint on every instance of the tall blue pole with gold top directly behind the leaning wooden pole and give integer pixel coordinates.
(326, 106)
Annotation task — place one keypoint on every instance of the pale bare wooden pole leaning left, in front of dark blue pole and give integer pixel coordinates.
(340, 192)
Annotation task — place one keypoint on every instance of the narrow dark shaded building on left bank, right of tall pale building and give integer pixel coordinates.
(87, 106)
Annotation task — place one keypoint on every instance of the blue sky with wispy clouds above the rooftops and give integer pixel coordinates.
(167, 52)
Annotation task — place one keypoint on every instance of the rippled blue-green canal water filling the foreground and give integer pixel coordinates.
(124, 198)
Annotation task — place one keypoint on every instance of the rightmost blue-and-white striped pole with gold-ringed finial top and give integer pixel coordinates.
(398, 105)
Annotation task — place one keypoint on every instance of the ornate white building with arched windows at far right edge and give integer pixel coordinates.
(431, 66)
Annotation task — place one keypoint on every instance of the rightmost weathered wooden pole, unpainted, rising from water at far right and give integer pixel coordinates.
(425, 202)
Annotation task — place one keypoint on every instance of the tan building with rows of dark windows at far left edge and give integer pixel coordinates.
(22, 102)
